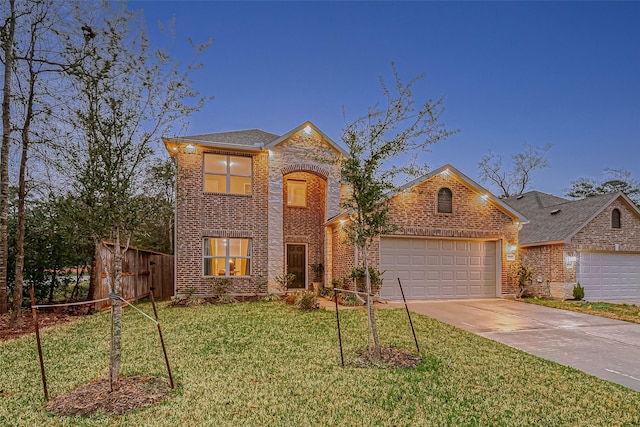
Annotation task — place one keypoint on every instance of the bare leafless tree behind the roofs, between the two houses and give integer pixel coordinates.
(514, 181)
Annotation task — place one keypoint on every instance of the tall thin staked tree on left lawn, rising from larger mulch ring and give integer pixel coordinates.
(126, 95)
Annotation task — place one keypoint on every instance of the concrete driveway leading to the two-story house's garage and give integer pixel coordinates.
(606, 348)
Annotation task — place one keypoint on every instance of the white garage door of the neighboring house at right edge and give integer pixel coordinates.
(609, 275)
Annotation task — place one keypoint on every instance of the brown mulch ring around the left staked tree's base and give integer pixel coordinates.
(133, 393)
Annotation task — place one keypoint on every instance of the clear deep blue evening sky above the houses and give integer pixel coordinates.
(560, 73)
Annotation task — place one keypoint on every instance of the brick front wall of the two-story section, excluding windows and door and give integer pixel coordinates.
(261, 216)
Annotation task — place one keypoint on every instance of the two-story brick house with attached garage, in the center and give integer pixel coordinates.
(253, 205)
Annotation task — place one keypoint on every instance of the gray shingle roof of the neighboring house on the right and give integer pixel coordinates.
(556, 220)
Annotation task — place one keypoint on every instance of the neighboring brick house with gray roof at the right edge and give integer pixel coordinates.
(594, 241)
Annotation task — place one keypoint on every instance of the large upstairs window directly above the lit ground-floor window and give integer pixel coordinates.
(227, 174)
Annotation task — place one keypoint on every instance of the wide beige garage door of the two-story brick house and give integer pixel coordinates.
(431, 269)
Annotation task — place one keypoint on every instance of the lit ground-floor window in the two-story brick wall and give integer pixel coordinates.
(227, 257)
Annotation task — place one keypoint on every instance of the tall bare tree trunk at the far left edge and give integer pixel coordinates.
(7, 46)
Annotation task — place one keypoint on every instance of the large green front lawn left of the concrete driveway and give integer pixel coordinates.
(271, 364)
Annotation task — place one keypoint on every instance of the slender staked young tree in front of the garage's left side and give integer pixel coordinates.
(376, 140)
